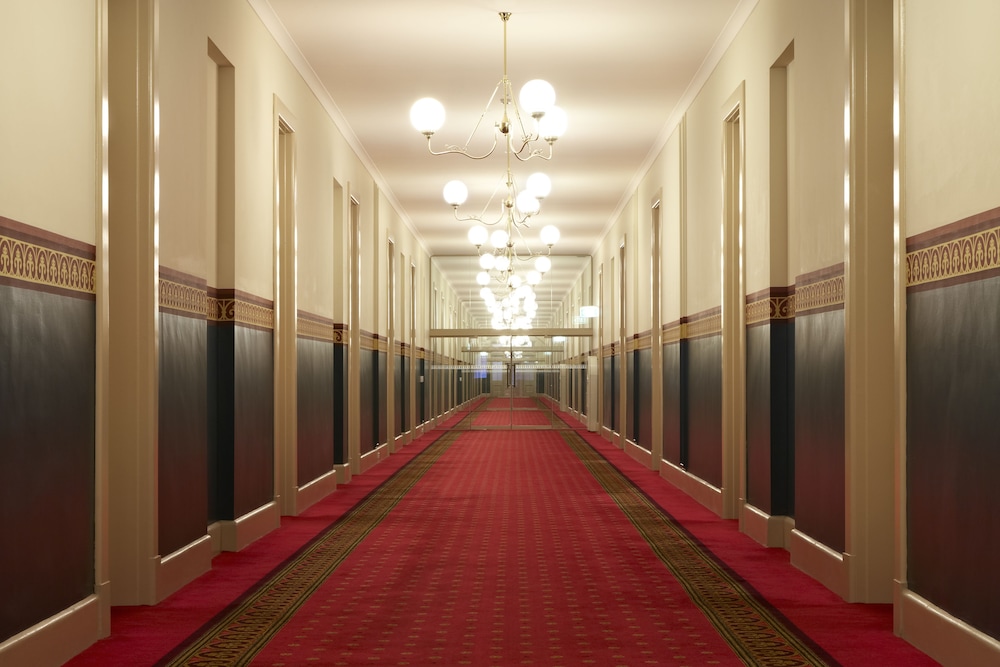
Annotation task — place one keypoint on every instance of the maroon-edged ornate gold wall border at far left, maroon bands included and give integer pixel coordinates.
(36, 259)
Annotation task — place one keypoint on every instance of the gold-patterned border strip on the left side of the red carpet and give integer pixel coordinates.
(241, 632)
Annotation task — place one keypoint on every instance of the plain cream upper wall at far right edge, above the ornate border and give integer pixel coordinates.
(951, 97)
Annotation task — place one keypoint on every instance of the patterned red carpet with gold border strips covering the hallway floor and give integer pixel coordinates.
(501, 548)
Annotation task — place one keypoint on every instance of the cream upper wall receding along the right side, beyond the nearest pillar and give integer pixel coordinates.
(687, 173)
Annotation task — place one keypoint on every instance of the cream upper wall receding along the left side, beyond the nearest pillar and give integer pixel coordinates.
(266, 85)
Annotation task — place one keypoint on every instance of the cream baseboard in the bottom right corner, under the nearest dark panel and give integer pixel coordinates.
(940, 635)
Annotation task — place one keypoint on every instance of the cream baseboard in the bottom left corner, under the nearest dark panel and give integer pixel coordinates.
(56, 639)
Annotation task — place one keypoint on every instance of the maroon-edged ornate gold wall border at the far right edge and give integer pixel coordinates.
(960, 252)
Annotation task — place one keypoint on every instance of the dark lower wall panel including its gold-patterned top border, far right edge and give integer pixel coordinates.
(953, 392)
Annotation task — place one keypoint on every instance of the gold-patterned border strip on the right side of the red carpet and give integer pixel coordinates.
(754, 633)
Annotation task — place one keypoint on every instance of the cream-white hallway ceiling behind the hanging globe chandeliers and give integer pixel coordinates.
(623, 71)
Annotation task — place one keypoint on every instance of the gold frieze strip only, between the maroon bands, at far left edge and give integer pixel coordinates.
(31, 263)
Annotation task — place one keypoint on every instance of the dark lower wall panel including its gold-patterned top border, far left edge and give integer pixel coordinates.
(47, 398)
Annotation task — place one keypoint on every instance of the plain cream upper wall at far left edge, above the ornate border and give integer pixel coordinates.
(48, 116)
